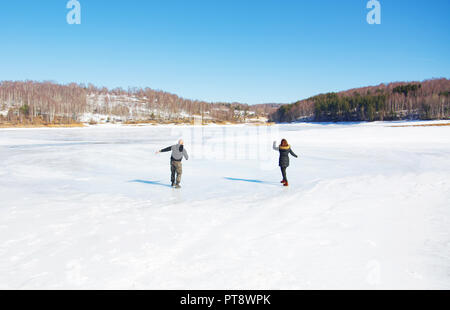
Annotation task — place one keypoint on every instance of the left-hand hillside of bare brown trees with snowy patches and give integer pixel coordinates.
(31, 102)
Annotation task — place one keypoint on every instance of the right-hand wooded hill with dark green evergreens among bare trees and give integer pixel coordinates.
(427, 100)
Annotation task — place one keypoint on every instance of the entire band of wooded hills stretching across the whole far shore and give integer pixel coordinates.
(31, 102)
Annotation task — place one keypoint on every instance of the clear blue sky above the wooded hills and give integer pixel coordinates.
(251, 51)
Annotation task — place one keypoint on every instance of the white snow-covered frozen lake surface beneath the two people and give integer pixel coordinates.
(368, 207)
